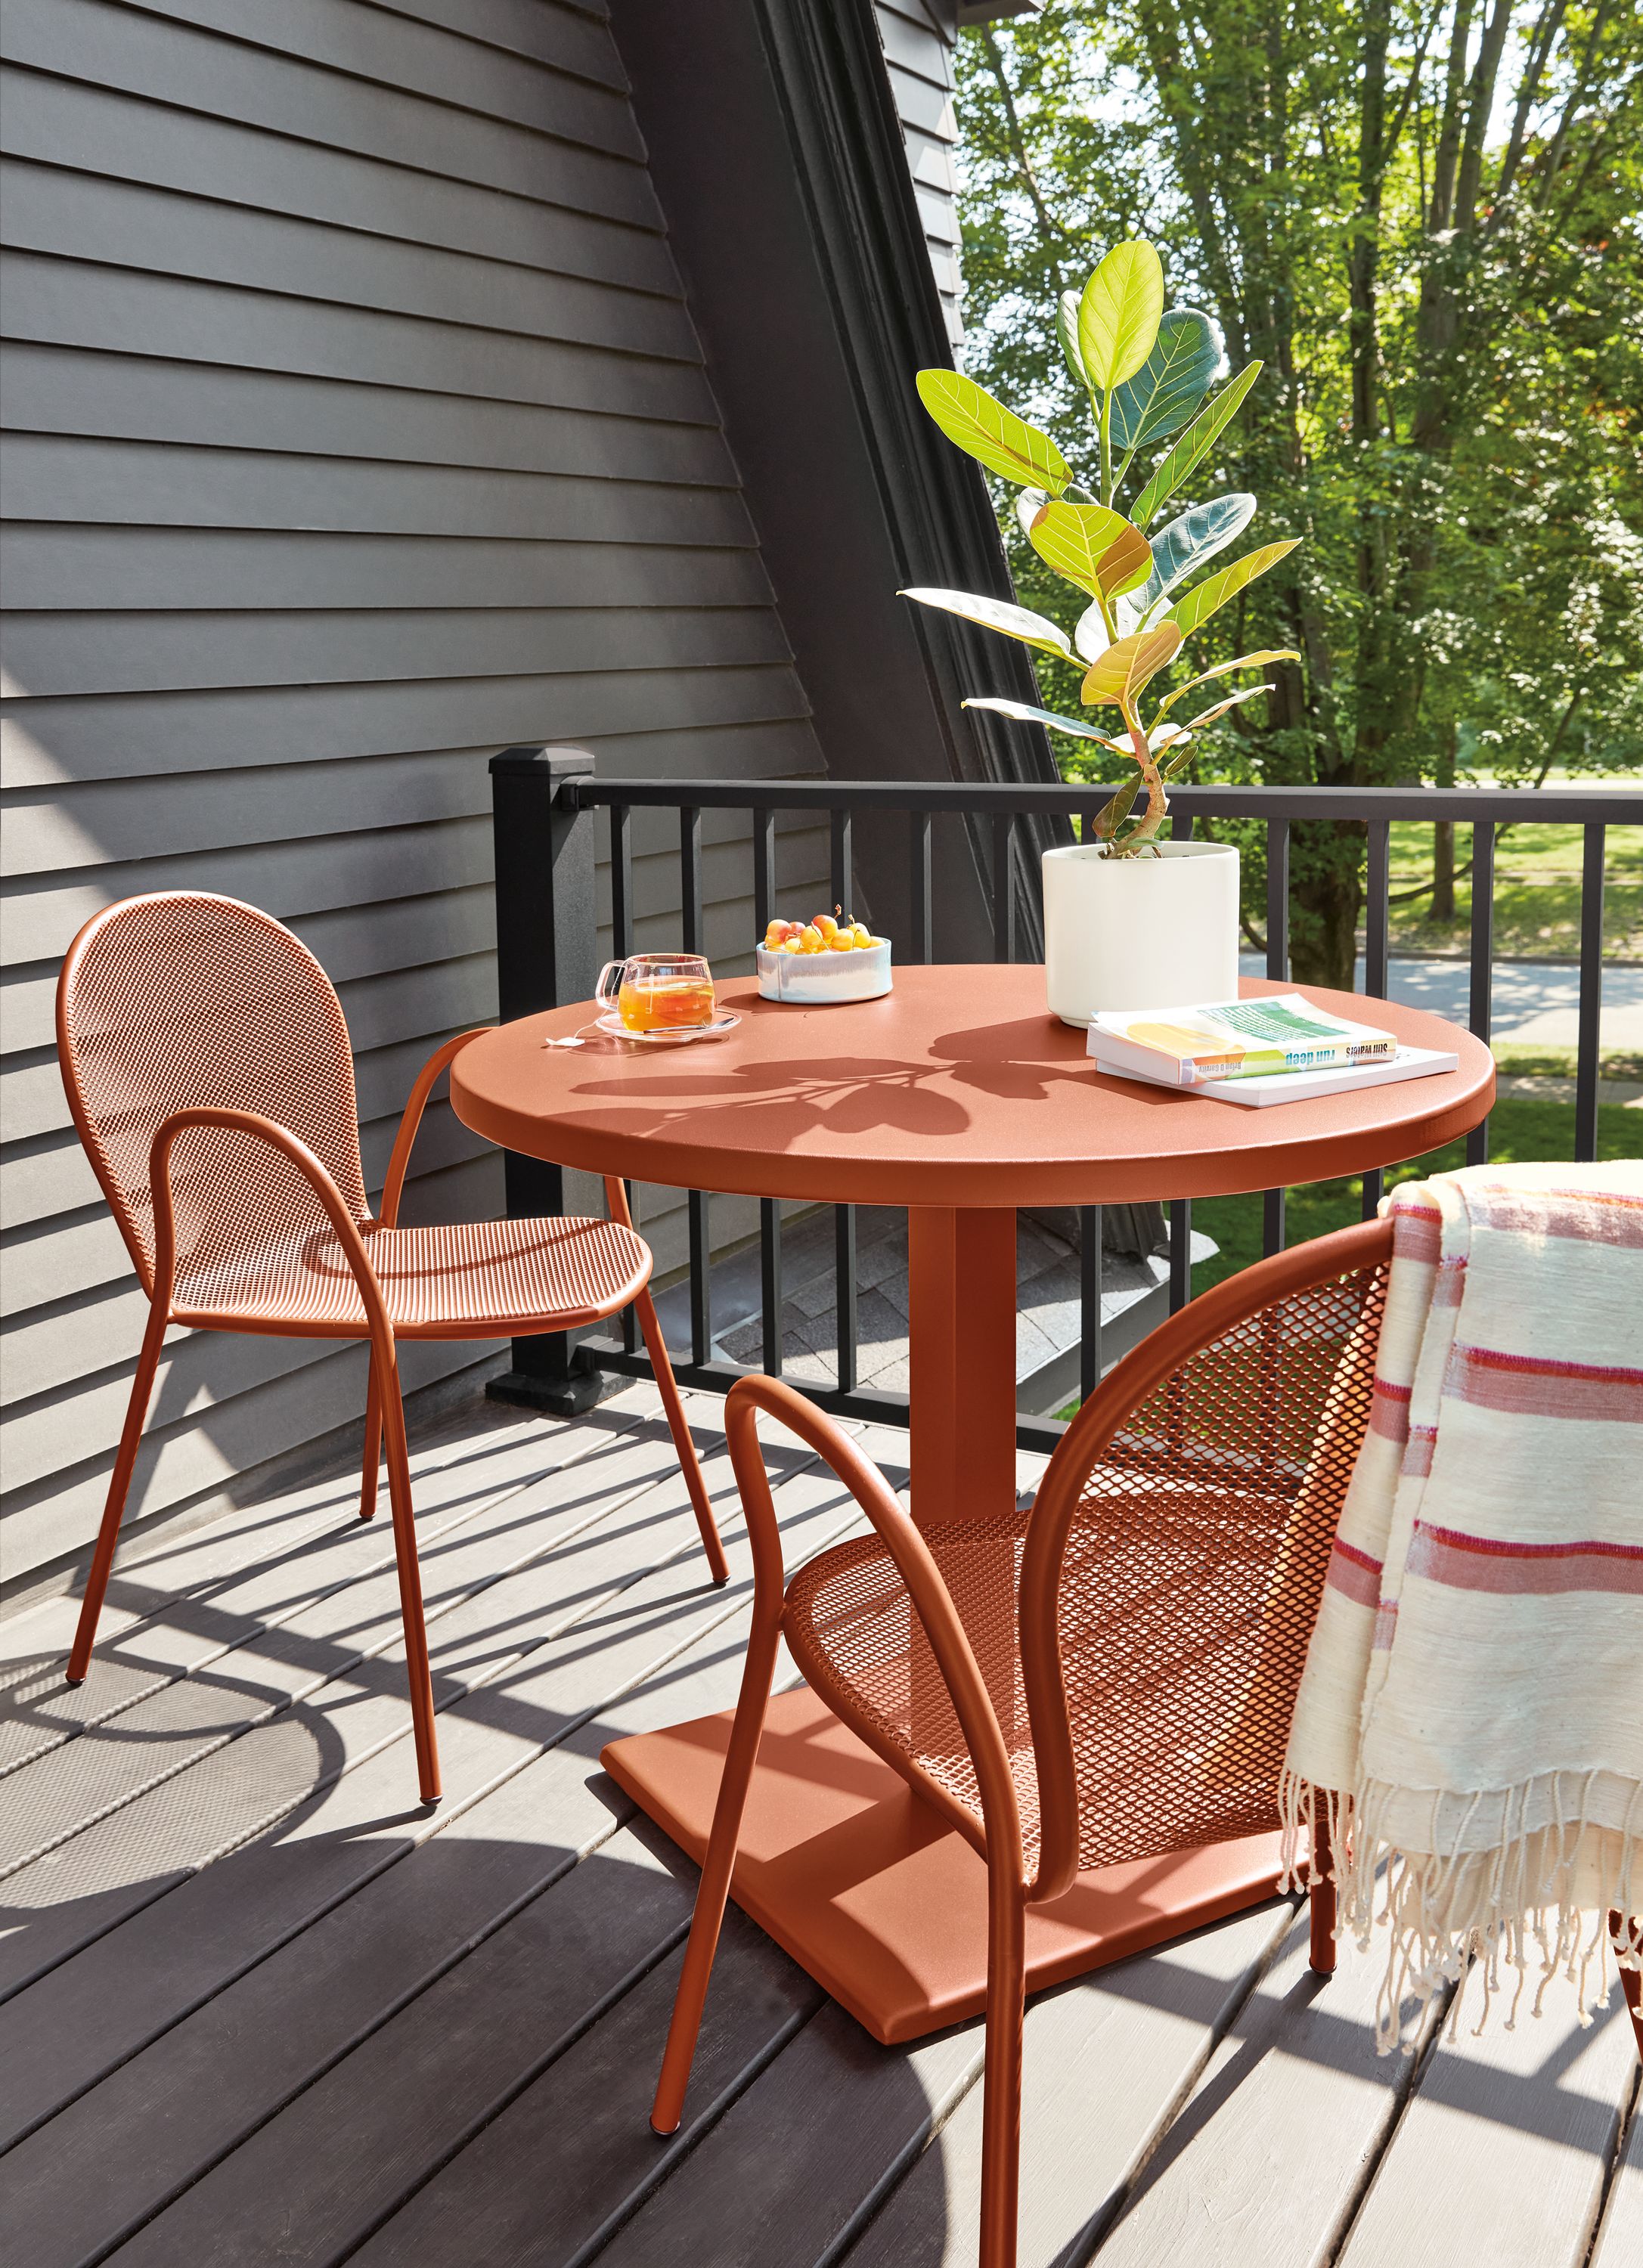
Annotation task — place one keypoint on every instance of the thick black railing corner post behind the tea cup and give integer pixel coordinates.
(548, 954)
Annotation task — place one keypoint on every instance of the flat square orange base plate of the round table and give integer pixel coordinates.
(877, 1897)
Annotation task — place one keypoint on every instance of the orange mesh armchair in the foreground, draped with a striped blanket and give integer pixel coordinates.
(1106, 1677)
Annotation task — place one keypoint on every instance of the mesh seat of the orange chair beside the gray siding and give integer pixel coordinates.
(473, 1276)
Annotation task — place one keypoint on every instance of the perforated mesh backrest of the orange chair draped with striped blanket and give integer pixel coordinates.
(1195, 1571)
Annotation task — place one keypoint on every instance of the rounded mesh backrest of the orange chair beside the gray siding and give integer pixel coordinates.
(187, 1001)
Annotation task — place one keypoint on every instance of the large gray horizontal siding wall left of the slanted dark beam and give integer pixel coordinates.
(355, 430)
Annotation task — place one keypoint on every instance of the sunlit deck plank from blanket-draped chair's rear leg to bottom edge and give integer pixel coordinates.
(1270, 2153)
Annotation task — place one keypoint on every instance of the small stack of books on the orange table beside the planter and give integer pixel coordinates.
(1256, 1051)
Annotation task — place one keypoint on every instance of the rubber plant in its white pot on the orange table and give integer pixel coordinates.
(1129, 917)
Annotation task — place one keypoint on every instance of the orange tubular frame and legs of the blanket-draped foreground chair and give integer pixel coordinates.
(1011, 1886)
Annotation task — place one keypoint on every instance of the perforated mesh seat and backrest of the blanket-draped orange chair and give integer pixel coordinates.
(1188, 1593)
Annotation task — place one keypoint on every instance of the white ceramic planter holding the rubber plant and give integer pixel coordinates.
(1140, 931)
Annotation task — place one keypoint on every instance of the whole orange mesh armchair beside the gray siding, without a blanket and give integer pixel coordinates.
(212, 1083)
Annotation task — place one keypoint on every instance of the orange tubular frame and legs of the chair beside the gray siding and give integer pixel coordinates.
(385, 1400)
